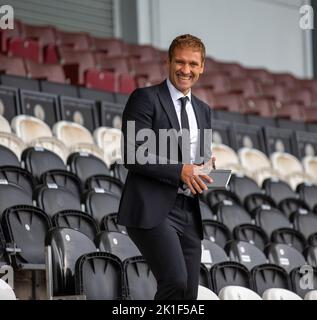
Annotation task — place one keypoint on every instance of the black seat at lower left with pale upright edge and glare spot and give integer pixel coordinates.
(64, 247)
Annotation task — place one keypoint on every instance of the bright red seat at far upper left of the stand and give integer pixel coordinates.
(25, 48)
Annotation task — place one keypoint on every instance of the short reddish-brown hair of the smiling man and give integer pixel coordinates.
(187, 41)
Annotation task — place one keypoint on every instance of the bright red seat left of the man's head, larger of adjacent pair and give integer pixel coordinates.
(101, 80)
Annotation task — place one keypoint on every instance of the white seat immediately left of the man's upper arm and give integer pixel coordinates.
(109, 140)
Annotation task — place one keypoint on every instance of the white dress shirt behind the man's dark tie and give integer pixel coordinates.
(176, 94)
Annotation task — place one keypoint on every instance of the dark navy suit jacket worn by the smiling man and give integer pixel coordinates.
(150, 190)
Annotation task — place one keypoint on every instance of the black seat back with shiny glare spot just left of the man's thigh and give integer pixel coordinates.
(118, 244)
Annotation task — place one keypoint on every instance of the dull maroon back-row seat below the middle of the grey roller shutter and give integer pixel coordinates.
(77, 40)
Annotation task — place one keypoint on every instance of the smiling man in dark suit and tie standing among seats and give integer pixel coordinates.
(159, 204)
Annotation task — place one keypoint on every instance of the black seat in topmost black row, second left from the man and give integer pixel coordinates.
(86, 165)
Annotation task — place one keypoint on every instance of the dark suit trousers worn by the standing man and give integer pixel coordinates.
(173, 251)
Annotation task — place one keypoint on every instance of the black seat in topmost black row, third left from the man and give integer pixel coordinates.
(38, 160)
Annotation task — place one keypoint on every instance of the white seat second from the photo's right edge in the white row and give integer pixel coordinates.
(289, 169)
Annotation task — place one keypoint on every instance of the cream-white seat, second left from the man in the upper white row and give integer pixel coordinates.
(72, 133)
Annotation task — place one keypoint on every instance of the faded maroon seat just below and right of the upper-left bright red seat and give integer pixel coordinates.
(50, 72)
